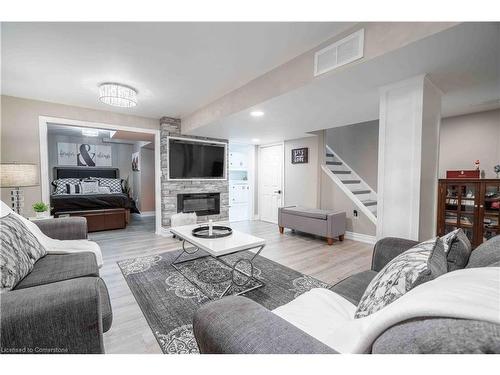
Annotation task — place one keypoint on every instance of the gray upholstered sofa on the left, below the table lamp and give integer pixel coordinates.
(62, 306)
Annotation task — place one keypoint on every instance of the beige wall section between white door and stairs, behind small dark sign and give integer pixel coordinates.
(301, 180)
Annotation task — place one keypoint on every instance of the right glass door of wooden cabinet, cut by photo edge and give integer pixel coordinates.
(491, 210)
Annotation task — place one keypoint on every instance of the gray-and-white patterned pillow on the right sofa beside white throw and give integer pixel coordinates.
(423, 262)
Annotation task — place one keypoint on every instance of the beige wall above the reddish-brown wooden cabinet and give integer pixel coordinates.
(467, 138)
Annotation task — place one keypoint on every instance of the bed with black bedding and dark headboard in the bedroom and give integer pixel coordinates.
(103, 211)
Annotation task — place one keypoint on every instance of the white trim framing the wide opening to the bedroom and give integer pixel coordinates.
(44, 156)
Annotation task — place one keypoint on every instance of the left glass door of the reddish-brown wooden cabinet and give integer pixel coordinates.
(460, 208)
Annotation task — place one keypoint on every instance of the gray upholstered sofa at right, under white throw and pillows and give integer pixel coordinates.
(240, 325)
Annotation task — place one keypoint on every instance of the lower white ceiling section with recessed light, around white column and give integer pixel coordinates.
(464, 62)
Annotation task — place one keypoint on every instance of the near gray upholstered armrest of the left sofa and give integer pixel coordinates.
(62, 317)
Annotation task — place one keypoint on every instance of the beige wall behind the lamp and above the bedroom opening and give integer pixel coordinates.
(20, 136)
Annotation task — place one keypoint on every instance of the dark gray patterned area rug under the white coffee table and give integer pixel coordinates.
(168, 300)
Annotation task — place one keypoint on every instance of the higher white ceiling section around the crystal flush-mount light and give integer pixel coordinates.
(176, 67)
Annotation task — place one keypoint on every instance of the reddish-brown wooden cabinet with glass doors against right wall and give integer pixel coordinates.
(470, 204)
